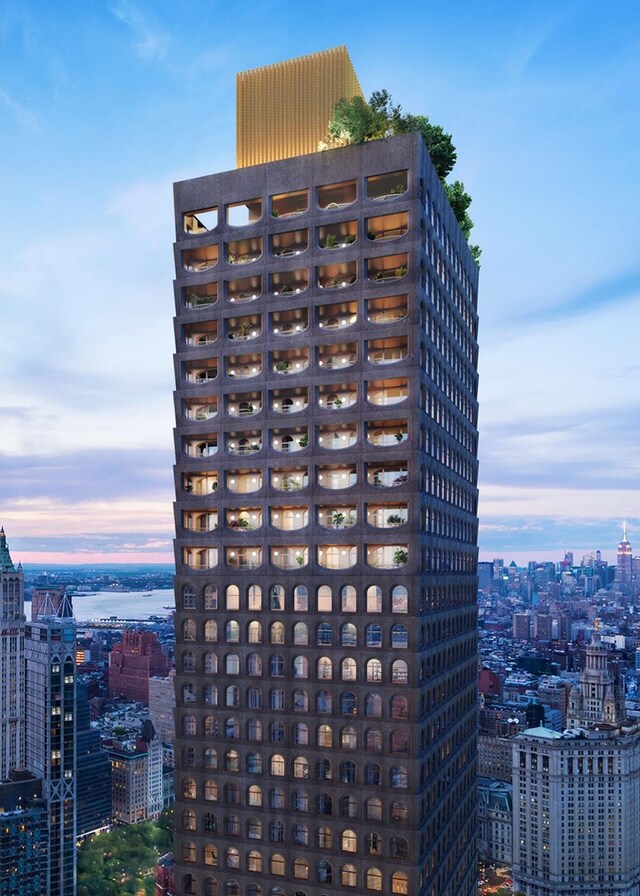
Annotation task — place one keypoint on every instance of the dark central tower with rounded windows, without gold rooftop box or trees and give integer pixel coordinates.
(325, 529)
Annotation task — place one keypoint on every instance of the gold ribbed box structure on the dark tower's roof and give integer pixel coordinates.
(283, 109)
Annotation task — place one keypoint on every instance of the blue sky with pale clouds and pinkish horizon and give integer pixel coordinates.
(105, 104)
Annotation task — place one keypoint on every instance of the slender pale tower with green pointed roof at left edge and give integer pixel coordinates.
(12, 622)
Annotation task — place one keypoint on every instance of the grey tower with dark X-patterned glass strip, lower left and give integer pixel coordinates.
(50, 649)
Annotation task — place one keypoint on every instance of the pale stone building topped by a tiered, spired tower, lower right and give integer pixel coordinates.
(576, 795)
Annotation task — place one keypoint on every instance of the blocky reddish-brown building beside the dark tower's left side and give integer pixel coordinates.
(132, 662)
